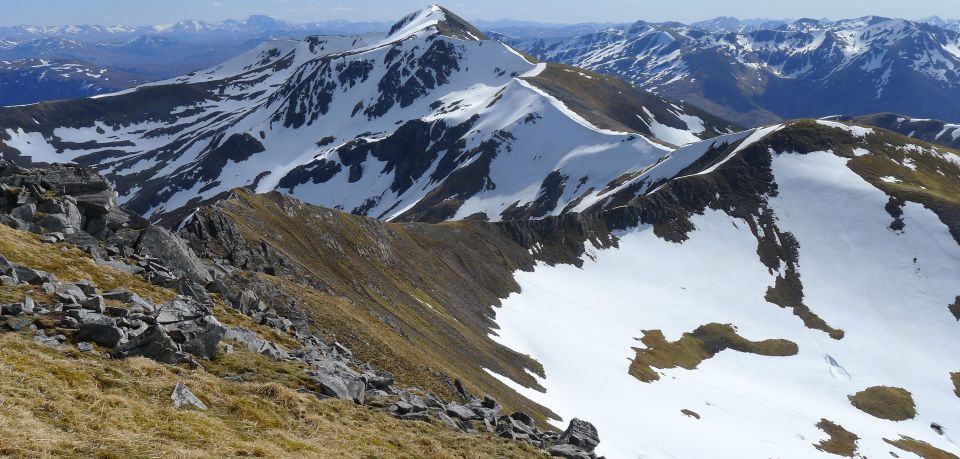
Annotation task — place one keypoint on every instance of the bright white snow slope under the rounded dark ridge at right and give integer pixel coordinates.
(881, 275)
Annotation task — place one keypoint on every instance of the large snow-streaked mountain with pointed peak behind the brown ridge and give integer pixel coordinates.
(429, 121)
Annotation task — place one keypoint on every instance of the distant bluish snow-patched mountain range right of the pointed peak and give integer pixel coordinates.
(807, 68)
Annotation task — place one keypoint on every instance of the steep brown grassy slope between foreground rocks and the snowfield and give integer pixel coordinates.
(414, 299)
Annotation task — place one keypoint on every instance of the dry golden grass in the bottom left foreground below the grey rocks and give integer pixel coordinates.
(61, 403)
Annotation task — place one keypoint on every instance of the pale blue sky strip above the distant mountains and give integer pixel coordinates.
(139, 12)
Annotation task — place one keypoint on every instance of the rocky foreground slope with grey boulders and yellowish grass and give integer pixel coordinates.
(132, 290)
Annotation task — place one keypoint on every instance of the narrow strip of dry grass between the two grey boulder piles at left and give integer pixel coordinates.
(71, 264)
